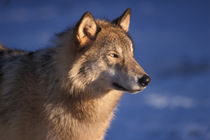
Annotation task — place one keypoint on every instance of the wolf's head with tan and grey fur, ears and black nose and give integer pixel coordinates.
(104, 58)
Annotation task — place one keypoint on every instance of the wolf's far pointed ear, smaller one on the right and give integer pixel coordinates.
(124, 20)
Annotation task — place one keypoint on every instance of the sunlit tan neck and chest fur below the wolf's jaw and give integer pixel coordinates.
(89, 119)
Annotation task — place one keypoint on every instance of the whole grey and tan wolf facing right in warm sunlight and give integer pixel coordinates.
(70, 90)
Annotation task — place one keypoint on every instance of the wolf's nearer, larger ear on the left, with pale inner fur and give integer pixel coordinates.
(86, 29)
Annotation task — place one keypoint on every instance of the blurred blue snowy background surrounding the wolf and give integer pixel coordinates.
(172, 44)
